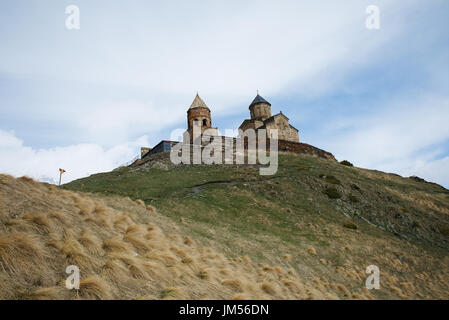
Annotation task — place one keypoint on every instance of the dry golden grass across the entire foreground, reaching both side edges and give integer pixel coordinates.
(125, 253)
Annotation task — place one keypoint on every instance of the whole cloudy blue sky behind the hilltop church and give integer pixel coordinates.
(87, 99)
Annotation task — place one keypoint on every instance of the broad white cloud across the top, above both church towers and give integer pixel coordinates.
(208, 46)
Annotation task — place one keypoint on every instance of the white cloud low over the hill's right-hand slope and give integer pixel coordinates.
(403, 137)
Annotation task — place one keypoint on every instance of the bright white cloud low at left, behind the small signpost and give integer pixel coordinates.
(78, 160)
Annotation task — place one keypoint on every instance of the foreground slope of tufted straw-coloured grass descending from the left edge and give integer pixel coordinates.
(121, 250)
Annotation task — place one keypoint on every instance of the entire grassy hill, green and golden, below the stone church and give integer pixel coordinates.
(159, 231)
